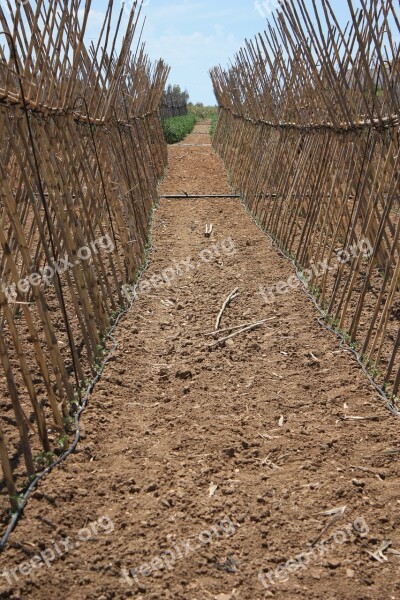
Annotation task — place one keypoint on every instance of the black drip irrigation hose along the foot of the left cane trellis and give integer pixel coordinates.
(24, 499)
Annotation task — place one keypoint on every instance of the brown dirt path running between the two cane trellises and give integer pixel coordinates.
(212, 465)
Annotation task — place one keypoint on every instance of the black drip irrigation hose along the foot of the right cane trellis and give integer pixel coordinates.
(321, 320)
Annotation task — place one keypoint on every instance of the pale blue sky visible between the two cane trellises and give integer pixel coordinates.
(192, 36)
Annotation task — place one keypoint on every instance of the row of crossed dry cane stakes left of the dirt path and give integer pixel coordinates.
(81, 156)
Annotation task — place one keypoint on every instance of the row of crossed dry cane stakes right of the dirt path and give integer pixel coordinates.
(309, 132)
